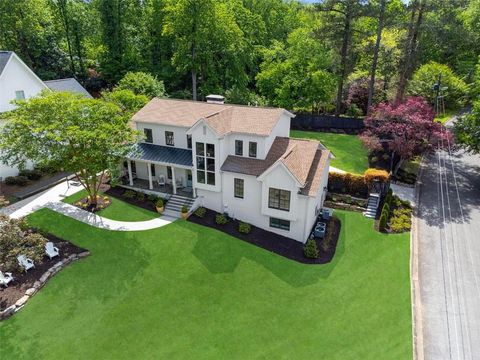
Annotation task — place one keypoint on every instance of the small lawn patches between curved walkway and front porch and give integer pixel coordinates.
(118, 209)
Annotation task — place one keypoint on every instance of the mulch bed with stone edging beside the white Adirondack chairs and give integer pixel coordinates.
(23, 281)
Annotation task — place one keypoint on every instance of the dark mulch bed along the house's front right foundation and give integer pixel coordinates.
(275, 243)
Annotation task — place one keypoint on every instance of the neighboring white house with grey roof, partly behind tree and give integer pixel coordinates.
(17, 82)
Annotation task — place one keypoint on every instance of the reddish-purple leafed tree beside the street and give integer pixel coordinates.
(407, 129)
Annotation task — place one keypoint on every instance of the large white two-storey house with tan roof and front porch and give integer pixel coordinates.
(233, 159)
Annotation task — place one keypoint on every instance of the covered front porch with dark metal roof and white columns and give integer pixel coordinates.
(159, 169)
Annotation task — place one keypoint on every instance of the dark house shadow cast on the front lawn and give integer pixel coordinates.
(223, 255)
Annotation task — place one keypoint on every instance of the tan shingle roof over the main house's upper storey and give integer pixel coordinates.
(223, 118)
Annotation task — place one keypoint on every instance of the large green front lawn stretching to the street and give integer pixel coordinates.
(189, 292)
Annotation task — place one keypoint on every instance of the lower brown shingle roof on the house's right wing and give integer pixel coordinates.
(305, 159)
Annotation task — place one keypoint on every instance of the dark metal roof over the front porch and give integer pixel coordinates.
(162, 154)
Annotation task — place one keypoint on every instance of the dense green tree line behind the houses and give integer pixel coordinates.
(340, 56)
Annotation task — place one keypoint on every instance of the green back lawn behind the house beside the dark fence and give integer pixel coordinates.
(350, 154)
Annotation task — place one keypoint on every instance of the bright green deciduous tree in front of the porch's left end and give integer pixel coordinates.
(84, 136)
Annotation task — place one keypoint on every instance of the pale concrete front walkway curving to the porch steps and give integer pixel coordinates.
(52, 199)
